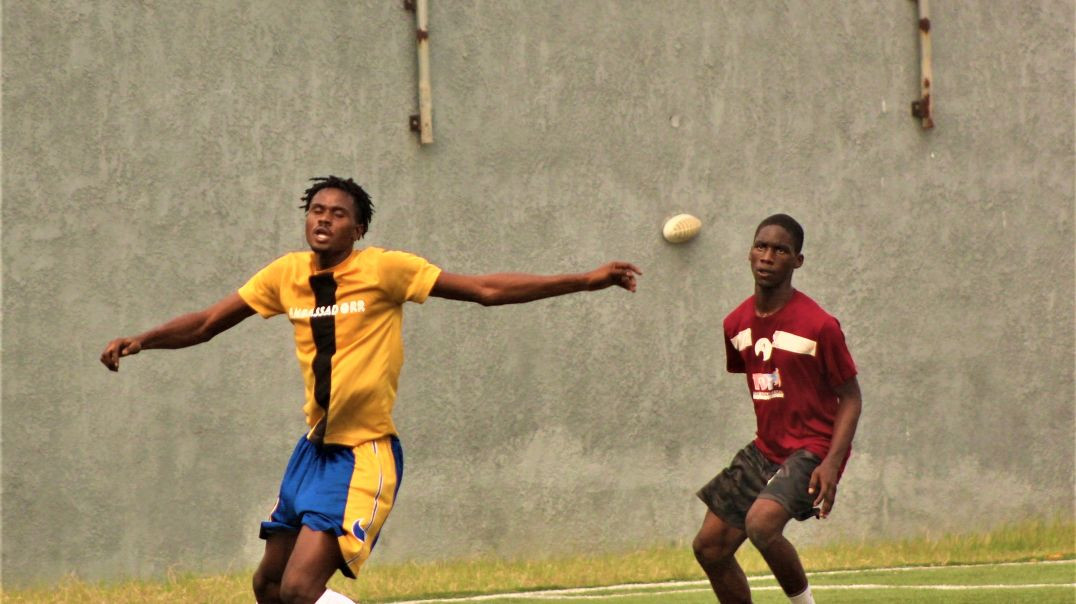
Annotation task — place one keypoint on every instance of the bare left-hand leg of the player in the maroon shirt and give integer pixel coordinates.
(716, 547)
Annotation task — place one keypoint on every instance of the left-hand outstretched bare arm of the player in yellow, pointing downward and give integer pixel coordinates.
(185, 331)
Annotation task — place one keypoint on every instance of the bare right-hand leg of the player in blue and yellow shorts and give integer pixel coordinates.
(315, 558)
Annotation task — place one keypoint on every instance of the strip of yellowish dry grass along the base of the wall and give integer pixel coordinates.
(1043, 540)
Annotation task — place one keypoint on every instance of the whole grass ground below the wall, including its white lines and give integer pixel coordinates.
(1033, 561)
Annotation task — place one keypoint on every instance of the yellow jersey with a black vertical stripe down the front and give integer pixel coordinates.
(348, 334)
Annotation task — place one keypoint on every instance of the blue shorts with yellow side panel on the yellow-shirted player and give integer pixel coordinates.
(348, 491)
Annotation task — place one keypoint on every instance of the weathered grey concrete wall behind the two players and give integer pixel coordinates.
(153, 159)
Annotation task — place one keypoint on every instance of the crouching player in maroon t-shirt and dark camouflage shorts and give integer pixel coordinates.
(808, 404)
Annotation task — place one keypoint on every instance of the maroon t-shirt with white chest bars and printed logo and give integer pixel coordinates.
(794, 360)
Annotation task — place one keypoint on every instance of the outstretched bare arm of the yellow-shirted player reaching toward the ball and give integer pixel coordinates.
(516, 288)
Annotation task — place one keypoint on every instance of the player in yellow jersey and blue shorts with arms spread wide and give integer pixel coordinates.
(346, 306)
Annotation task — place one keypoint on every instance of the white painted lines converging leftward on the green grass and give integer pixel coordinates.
(587, 593)
